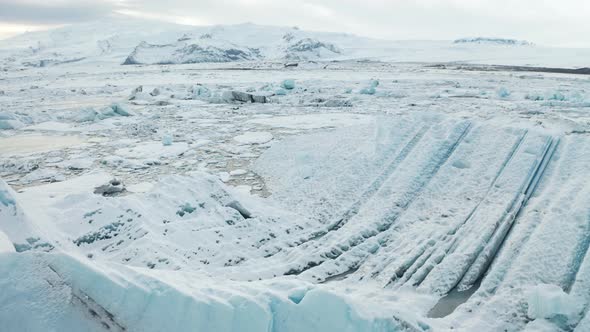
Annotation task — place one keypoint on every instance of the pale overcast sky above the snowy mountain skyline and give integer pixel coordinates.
(548, 22)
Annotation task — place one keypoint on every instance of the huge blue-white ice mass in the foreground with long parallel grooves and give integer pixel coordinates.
(306, 269)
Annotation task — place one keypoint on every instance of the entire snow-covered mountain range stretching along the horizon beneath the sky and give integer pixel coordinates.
(123, 40)
